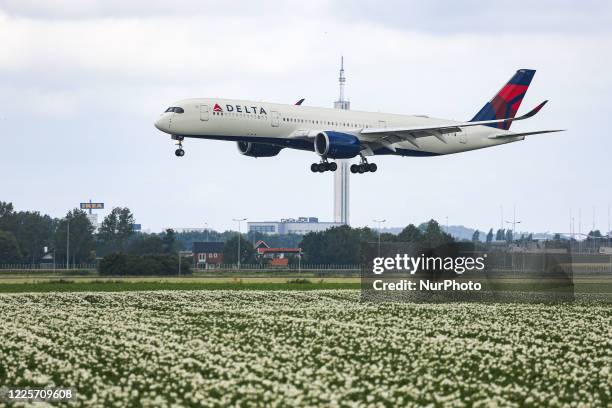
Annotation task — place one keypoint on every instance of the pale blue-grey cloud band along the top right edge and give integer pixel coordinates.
(476, 16)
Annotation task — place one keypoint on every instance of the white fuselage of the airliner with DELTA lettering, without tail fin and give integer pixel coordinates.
(225, 119)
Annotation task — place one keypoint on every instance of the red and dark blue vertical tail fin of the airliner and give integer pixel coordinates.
(506, 102)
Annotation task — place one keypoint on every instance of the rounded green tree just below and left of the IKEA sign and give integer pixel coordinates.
(76, 231)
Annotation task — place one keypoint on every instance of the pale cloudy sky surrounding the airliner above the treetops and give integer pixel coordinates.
(82, 82)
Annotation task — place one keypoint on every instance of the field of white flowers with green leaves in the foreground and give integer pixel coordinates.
(290, 348)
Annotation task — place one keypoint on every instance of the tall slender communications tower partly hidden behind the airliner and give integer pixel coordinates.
(341, 176)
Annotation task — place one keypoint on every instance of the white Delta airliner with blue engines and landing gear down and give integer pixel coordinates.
(263, 129)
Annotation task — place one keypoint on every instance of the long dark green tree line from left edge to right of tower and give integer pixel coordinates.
(25, 234)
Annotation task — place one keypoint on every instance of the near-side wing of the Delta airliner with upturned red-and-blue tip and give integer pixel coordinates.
(389, 136)
